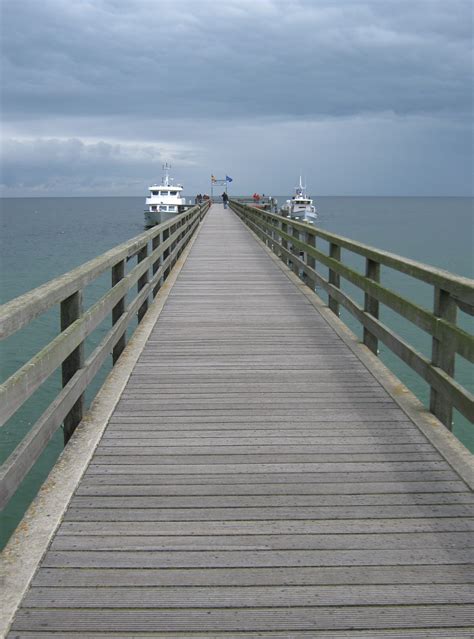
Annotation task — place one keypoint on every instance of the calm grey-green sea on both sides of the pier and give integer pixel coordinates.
(45, 237)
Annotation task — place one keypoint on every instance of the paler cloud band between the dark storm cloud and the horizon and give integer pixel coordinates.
(384, 154)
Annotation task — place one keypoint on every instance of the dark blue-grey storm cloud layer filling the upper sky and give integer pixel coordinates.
(235, 58)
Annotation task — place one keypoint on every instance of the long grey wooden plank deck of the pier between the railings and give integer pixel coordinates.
(256, 480)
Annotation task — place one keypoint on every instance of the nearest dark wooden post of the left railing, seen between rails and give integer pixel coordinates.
(71, 310)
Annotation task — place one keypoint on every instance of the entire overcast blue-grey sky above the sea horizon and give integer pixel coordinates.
(364, 97)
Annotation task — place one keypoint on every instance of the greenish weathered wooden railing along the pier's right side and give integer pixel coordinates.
(295, 243)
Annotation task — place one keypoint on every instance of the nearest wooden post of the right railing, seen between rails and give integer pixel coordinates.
(443, 356)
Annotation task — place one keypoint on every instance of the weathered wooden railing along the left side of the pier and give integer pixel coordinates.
(156, 251)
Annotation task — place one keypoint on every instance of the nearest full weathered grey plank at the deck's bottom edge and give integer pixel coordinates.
(252, 619)
